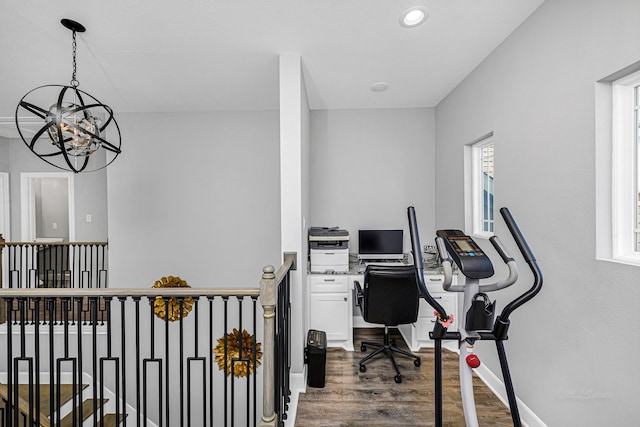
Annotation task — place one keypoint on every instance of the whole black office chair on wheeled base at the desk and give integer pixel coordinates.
(389, 297)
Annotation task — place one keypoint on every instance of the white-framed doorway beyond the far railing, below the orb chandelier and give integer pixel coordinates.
(48, 207)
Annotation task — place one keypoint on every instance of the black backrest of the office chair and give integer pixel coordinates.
(390, 295)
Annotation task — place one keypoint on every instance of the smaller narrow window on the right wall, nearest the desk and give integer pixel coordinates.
(481, 190)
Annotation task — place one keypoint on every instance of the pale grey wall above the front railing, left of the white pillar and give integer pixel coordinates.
(195, 196)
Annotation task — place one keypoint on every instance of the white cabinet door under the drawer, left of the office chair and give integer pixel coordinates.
(329, 312)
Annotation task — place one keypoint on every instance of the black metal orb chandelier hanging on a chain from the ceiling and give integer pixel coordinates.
(72, 125)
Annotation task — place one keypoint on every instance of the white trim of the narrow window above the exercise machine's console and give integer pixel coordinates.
(473, 187)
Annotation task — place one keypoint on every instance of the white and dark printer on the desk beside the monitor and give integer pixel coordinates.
(329, 250)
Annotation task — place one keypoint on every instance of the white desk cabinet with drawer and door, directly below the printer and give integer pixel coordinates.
(330, 308)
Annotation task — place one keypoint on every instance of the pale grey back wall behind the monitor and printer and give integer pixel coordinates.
(368, 166)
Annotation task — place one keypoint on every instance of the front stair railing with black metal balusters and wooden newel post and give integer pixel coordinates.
(152, 356)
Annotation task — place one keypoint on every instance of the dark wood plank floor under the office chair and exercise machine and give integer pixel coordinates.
(373, 399)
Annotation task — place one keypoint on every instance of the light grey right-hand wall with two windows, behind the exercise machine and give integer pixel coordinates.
(573, 348)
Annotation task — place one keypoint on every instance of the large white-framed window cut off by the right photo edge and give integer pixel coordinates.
(625, 168)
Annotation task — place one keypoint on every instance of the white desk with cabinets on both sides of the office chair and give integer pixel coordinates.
(332, 309)
